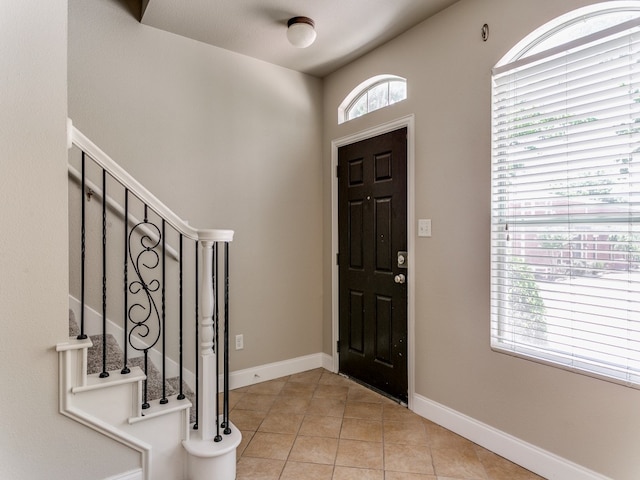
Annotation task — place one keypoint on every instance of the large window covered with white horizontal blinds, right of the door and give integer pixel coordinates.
(565, 246)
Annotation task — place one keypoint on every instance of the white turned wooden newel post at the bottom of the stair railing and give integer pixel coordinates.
(206, 416)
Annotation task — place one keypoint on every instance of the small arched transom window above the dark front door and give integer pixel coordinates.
(375, 93)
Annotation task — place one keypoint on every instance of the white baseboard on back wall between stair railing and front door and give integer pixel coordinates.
(271, 371)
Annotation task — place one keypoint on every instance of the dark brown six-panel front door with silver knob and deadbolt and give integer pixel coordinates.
(372, 222)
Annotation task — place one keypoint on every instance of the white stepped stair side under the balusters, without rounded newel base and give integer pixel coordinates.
(112, 406)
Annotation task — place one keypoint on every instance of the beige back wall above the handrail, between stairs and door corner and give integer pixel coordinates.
(227, 142)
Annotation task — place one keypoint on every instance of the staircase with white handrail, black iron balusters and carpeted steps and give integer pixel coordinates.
(145, 363)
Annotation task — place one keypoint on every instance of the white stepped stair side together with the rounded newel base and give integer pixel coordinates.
(161, 433)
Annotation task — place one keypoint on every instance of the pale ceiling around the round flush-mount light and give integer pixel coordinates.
(346, 29)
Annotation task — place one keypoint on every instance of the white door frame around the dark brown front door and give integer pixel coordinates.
(408, 122)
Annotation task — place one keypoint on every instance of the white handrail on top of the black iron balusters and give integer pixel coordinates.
(124, 178)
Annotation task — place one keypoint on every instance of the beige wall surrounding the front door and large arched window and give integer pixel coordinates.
(590, 422)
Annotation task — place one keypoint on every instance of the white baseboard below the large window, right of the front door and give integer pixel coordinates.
(539, 461)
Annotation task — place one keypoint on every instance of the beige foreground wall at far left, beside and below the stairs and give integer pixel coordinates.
(35, 440)
